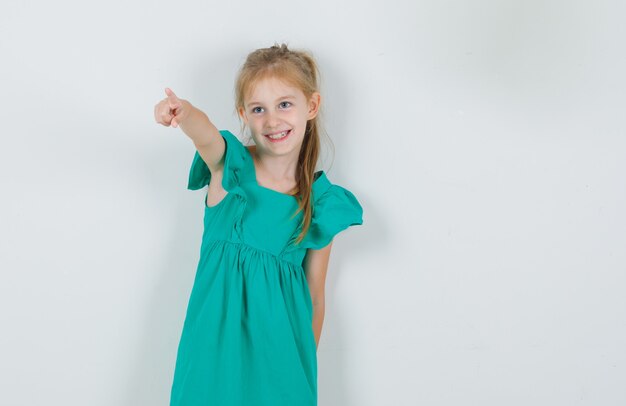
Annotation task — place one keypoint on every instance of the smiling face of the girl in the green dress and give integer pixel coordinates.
(277, 114)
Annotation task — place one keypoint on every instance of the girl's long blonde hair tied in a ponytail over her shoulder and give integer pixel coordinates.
(298, 69)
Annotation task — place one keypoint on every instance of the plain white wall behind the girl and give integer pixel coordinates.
(485, 141)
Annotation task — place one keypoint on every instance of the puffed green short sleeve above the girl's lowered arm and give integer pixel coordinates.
(334, 211)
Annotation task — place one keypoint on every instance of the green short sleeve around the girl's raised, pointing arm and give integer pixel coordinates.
(234, 165)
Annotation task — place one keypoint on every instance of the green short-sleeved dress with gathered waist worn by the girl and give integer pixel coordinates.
(247, 337)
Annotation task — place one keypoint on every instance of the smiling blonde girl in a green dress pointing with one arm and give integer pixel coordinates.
(256, 308)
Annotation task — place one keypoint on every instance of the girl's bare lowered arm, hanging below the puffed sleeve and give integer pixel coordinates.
(316, 266)
